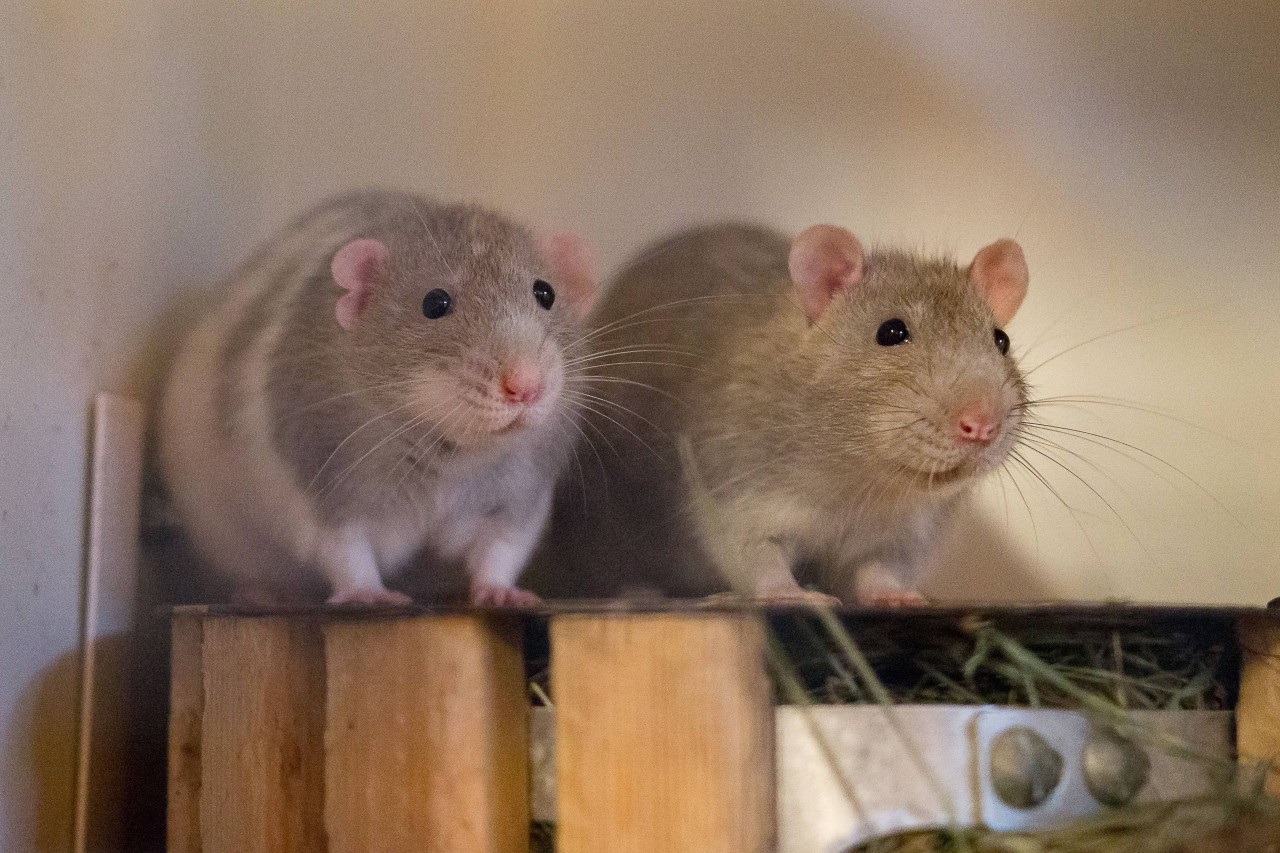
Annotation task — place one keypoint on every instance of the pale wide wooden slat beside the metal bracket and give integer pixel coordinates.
(665, 735)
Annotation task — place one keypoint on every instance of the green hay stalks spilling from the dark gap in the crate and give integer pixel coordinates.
(1107, 674)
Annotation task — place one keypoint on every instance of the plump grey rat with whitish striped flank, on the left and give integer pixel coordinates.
(383, 384)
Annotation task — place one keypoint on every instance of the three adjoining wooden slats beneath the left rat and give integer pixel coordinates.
(341, 735)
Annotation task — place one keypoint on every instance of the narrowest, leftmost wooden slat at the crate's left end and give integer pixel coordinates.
(186, 722)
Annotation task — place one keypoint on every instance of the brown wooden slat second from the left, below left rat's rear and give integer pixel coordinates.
(263, 737)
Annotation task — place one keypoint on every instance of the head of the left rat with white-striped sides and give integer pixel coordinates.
(461, 318)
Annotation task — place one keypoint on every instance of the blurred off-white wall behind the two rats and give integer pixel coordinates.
(1133, 149)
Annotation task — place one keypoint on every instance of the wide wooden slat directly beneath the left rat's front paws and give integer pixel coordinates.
(428, 738)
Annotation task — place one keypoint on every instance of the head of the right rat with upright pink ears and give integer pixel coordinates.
(909, 362)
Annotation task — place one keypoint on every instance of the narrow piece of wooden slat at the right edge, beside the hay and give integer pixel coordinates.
(1258, 714)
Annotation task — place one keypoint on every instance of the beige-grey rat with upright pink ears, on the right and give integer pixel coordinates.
(771, 407)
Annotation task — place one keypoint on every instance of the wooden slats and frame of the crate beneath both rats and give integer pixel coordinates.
(322, 731)
